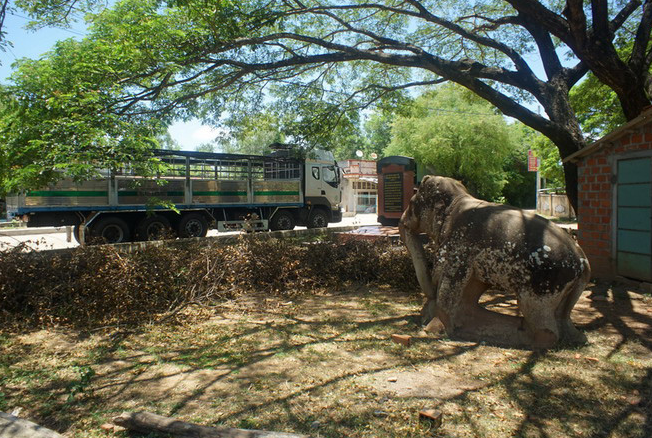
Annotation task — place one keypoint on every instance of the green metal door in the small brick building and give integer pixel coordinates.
(634, 233)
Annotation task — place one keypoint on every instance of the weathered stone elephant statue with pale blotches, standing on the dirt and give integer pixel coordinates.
(480, 246)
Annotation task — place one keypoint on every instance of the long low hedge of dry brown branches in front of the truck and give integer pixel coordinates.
(100, 285)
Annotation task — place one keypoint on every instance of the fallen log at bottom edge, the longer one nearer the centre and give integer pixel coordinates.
(146, 422)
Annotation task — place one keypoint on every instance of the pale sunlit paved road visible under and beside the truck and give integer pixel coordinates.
(55, 238)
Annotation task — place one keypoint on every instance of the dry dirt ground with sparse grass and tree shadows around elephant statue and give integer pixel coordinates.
(325, 365)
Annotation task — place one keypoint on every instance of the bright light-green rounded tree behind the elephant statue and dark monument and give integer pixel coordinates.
(458, 135)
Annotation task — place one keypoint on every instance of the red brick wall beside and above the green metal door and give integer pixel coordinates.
(596, 214)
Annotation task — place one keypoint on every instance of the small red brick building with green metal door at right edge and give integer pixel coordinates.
(615, 200)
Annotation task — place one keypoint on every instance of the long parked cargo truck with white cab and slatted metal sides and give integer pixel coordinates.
(196, 191)
